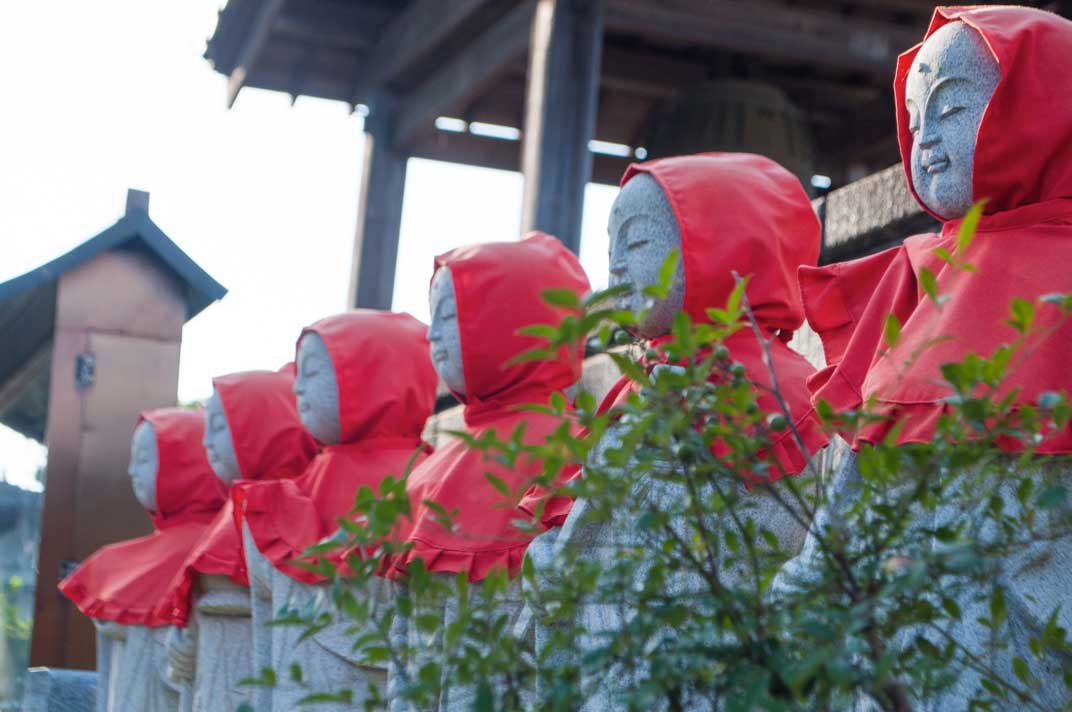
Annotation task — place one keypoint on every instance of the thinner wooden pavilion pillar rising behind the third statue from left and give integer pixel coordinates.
(380, 210)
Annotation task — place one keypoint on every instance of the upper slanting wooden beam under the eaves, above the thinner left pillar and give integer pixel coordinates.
(415, 34)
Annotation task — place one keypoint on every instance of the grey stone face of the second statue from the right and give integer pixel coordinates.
(644, 230)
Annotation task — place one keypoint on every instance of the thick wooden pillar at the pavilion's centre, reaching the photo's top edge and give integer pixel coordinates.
(561, 106)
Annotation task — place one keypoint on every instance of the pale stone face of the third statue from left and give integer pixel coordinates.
(317, 390)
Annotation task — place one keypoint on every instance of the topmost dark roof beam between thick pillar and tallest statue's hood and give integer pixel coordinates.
(768, 29)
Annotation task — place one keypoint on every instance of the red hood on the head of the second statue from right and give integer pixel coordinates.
(760, 220)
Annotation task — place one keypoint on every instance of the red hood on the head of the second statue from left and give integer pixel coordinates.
(271, 442)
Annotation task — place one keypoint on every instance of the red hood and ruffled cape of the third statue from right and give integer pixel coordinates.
(499, 291)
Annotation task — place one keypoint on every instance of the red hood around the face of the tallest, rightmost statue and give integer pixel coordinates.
(1024, 146)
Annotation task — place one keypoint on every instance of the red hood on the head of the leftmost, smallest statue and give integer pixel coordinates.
(187, 488)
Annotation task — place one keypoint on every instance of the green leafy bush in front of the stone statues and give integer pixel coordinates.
(664, 589)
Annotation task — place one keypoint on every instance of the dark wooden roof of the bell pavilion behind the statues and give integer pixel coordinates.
(468, 60)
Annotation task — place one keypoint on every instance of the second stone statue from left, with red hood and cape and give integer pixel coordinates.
(252, 434)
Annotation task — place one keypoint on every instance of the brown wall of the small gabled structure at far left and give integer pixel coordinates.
(115, 352)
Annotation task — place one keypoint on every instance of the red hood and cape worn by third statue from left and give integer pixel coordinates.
(386, 393)
